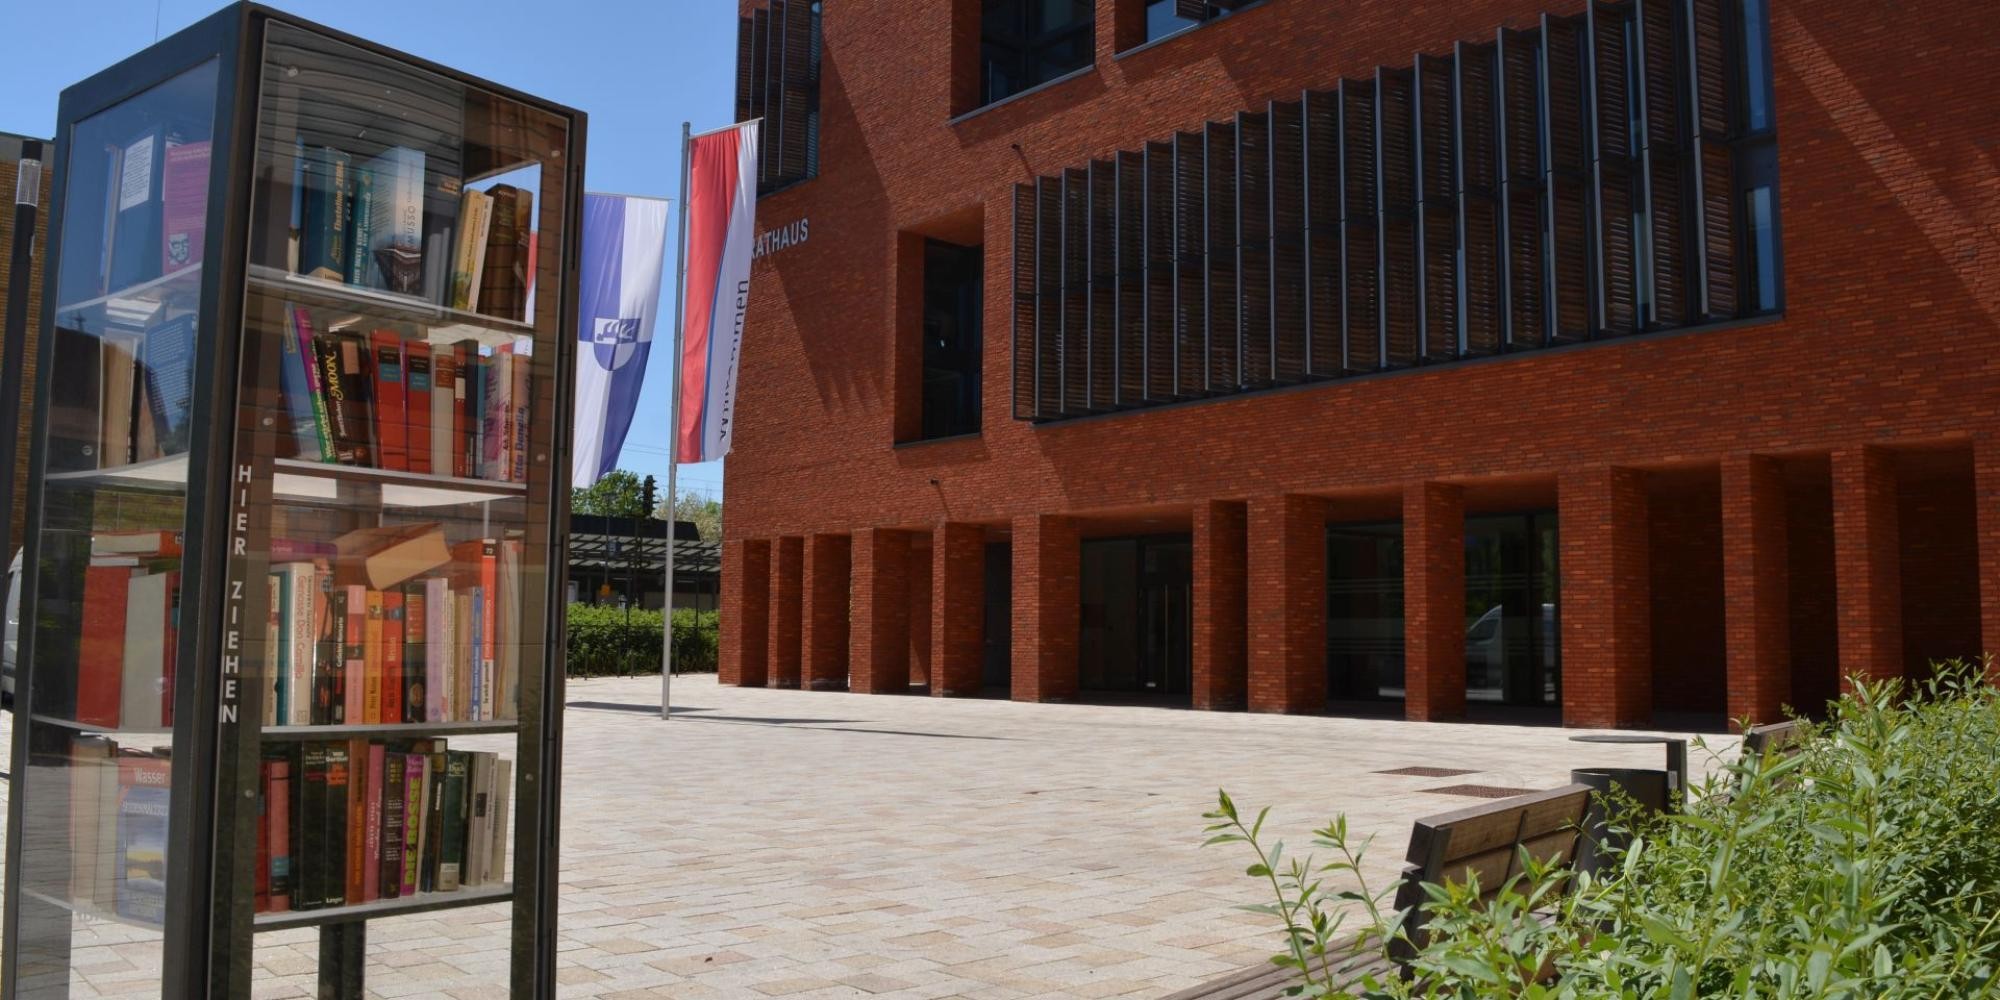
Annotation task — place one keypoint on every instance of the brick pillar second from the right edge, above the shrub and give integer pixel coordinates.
(1867, 565)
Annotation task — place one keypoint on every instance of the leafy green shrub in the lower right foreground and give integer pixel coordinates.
(1865, 867)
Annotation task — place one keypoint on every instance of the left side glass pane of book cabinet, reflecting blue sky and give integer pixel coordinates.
(107, 611)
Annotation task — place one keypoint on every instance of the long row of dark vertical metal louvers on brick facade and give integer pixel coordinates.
(1561, 183)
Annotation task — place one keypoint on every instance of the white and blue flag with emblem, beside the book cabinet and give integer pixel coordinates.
(625, 249)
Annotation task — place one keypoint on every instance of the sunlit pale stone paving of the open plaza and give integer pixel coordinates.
(815, 847)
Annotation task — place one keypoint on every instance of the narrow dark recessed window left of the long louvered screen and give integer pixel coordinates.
(953, 279)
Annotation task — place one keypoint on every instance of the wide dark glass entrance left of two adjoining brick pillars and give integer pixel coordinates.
(1137, 615)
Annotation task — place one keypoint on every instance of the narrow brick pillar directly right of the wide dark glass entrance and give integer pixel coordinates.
(1221, 607)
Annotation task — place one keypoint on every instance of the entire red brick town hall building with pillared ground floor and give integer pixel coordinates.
(1605, 363)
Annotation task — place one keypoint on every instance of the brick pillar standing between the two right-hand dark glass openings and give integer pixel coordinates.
(1435, 601)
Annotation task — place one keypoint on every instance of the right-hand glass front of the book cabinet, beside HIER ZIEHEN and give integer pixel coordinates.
(401, 323)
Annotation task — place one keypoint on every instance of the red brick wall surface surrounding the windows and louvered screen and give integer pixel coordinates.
(1891, 335)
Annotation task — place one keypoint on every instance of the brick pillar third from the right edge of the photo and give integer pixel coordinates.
(1757, 589)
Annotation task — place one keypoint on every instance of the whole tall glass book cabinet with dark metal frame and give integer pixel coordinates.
(291, 655)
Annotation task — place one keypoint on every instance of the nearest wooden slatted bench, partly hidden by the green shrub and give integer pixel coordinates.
(1483, 843)
